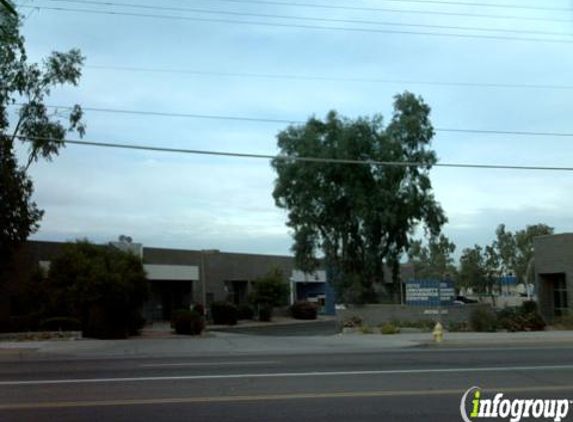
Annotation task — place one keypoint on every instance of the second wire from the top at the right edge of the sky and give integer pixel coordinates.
(403, 11)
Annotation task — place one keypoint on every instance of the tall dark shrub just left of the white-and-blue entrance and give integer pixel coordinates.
(270, 291)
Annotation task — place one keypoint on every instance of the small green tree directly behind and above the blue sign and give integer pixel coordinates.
(434, 260)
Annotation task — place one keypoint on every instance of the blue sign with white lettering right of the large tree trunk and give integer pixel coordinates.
(427, 292)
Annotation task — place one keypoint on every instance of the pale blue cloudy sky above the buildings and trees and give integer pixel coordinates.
(199, 202)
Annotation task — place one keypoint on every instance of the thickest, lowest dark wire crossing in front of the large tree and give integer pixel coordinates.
(292, 158)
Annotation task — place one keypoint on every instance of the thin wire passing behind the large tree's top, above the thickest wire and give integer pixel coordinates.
(294, 121)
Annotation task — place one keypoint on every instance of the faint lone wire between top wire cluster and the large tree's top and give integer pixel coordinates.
(327, 78)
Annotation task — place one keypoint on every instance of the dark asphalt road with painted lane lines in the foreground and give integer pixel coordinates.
(398, 385)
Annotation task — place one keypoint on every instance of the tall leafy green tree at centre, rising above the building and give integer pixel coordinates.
(359, 217)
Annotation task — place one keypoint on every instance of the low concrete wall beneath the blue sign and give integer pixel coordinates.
(373, 315)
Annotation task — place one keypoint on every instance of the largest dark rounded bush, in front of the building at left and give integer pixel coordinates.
(101, 285)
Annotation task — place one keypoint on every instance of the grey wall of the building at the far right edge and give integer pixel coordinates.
(553, 256)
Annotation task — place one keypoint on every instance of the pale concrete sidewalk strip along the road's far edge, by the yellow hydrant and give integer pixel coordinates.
(226, 344)
